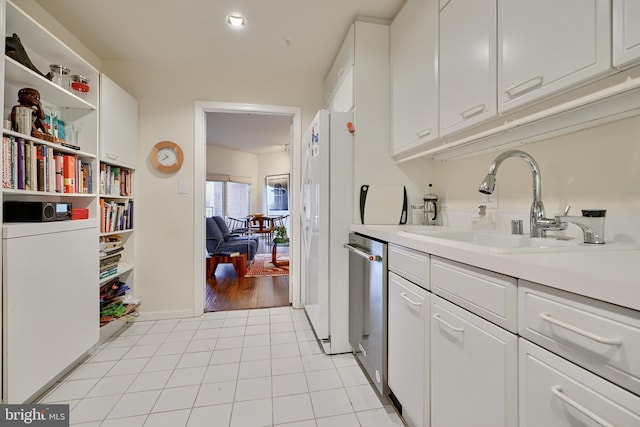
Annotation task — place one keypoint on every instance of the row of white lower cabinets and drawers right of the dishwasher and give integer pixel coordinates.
(471, 347)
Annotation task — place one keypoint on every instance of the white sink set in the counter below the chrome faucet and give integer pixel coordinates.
(490, 241)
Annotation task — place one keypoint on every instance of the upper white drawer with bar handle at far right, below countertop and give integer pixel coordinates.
(598, 336)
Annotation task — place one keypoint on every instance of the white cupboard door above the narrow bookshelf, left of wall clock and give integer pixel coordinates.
(118, 125)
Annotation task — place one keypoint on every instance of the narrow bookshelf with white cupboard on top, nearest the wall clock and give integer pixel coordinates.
(118, 159)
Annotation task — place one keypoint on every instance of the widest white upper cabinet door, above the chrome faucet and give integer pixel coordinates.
(537, 55)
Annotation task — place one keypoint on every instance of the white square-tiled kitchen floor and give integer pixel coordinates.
(244, 368)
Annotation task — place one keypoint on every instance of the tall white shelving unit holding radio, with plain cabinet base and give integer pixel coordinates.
(48, 265)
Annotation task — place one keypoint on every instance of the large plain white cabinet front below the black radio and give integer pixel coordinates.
(50, 302)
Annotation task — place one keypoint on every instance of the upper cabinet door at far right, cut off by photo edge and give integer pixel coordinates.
(626, 32)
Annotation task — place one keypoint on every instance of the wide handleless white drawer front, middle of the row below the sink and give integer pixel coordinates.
(490, 295)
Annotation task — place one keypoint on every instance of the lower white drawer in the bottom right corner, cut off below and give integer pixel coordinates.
(555, 392)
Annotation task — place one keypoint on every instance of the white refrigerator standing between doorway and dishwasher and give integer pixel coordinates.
(327, 213)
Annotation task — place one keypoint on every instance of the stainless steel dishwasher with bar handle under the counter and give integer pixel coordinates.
(368, 306)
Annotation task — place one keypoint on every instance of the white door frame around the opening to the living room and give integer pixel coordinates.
(201, 108)
